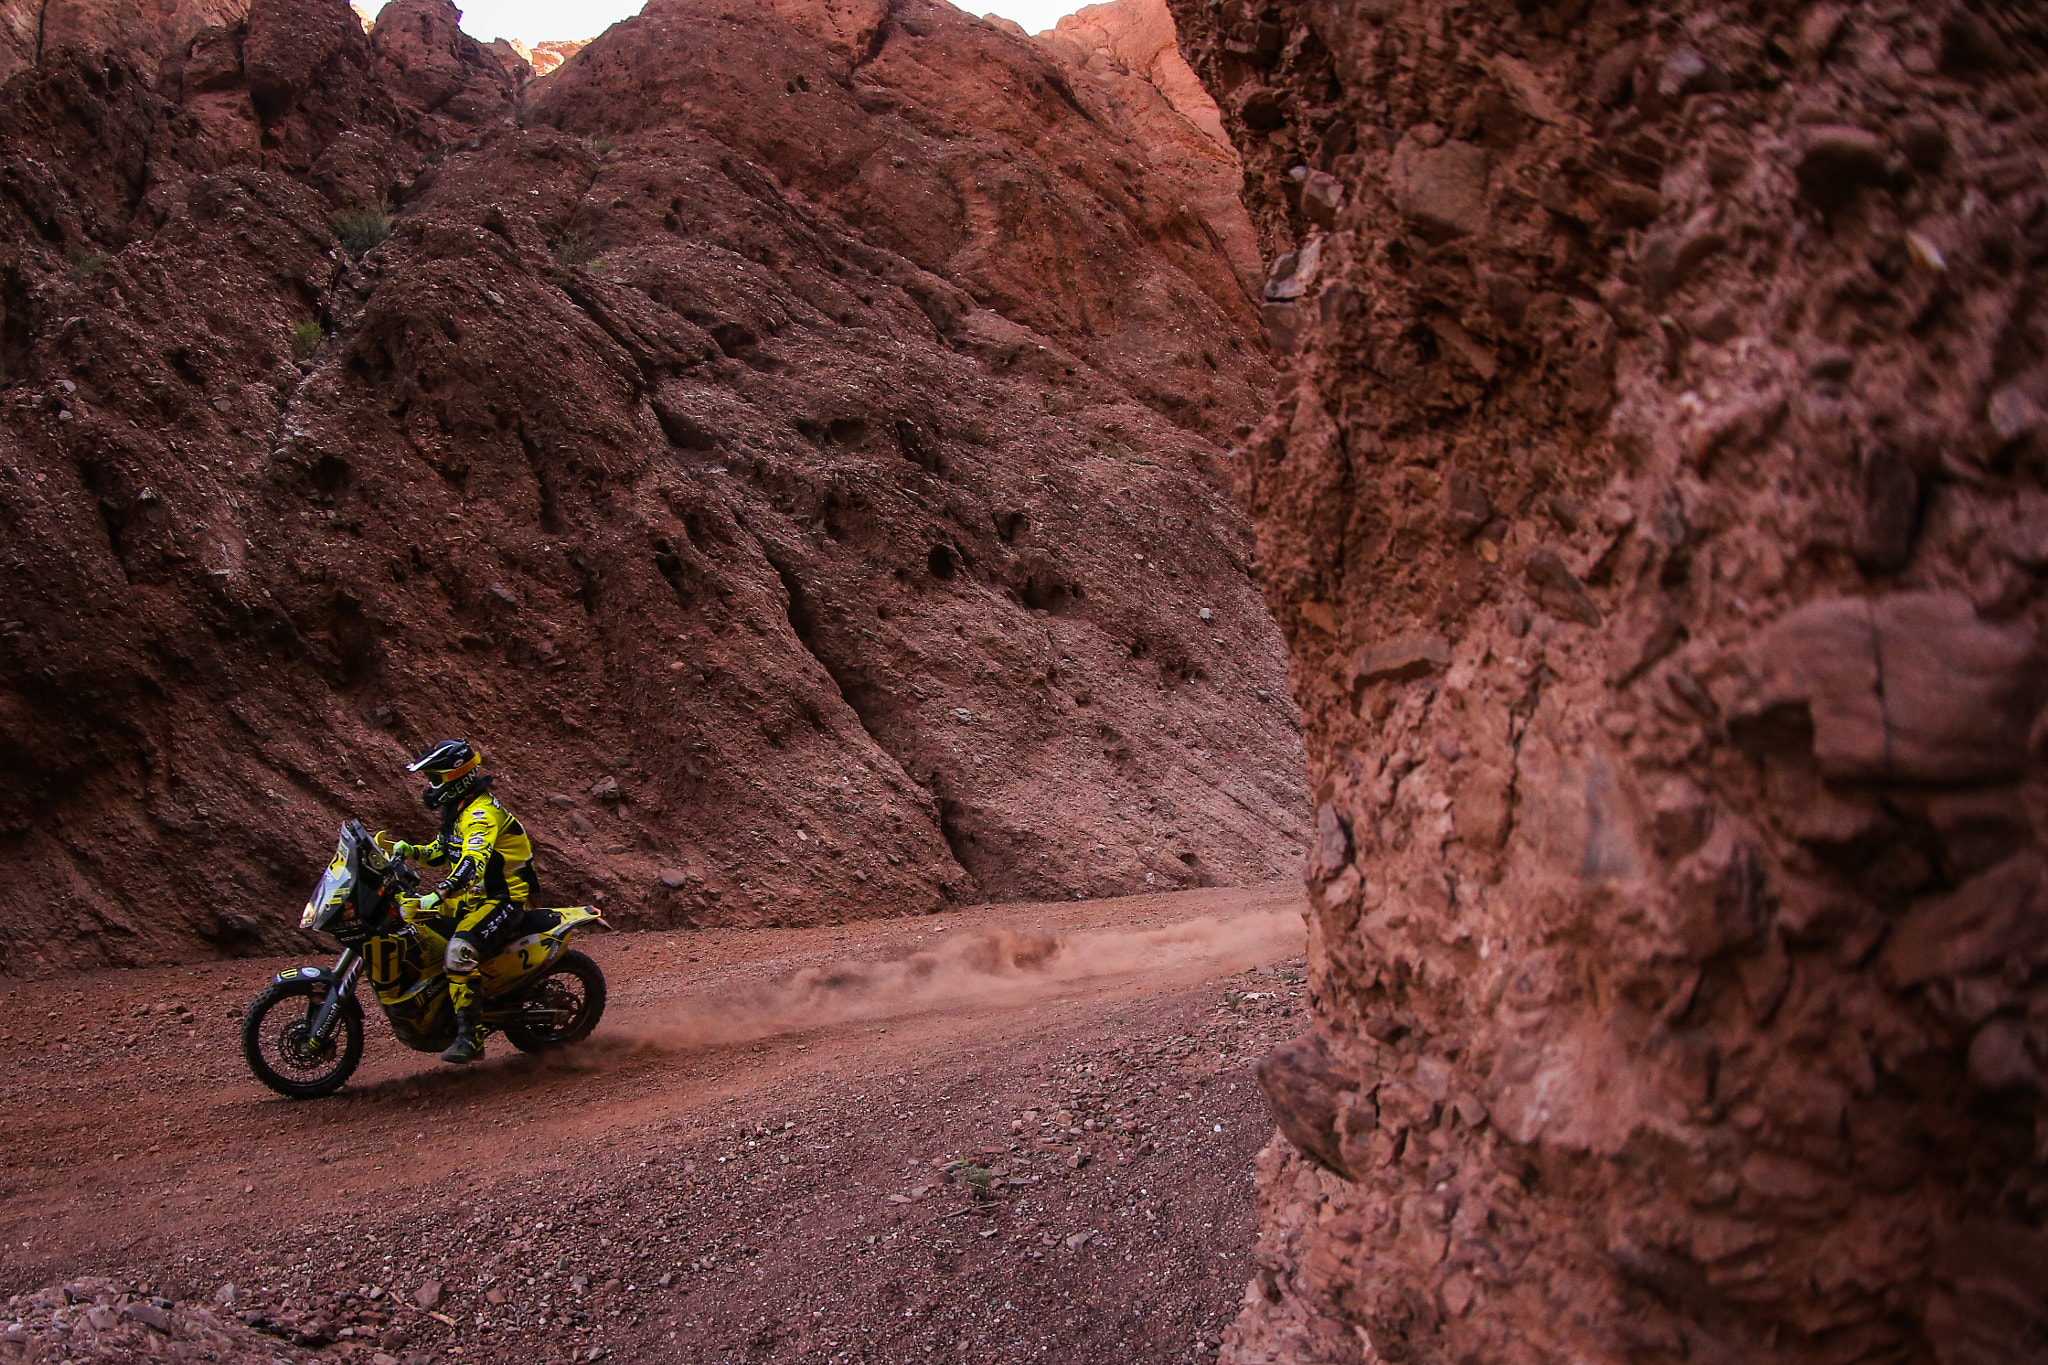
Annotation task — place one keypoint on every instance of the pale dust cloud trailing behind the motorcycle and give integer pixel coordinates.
(986, 969)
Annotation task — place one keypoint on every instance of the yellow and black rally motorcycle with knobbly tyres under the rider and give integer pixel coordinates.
(304, 1034)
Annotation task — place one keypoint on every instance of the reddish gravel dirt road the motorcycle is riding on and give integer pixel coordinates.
(1002, 1135)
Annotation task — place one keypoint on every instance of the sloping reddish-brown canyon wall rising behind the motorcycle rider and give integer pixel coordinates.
(790, 447)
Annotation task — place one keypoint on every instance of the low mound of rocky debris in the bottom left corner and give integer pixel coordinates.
(112, 1321)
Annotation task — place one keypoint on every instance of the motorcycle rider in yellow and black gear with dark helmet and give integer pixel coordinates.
(490, 885)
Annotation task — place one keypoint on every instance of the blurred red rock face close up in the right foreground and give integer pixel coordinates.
(1654, 509)
